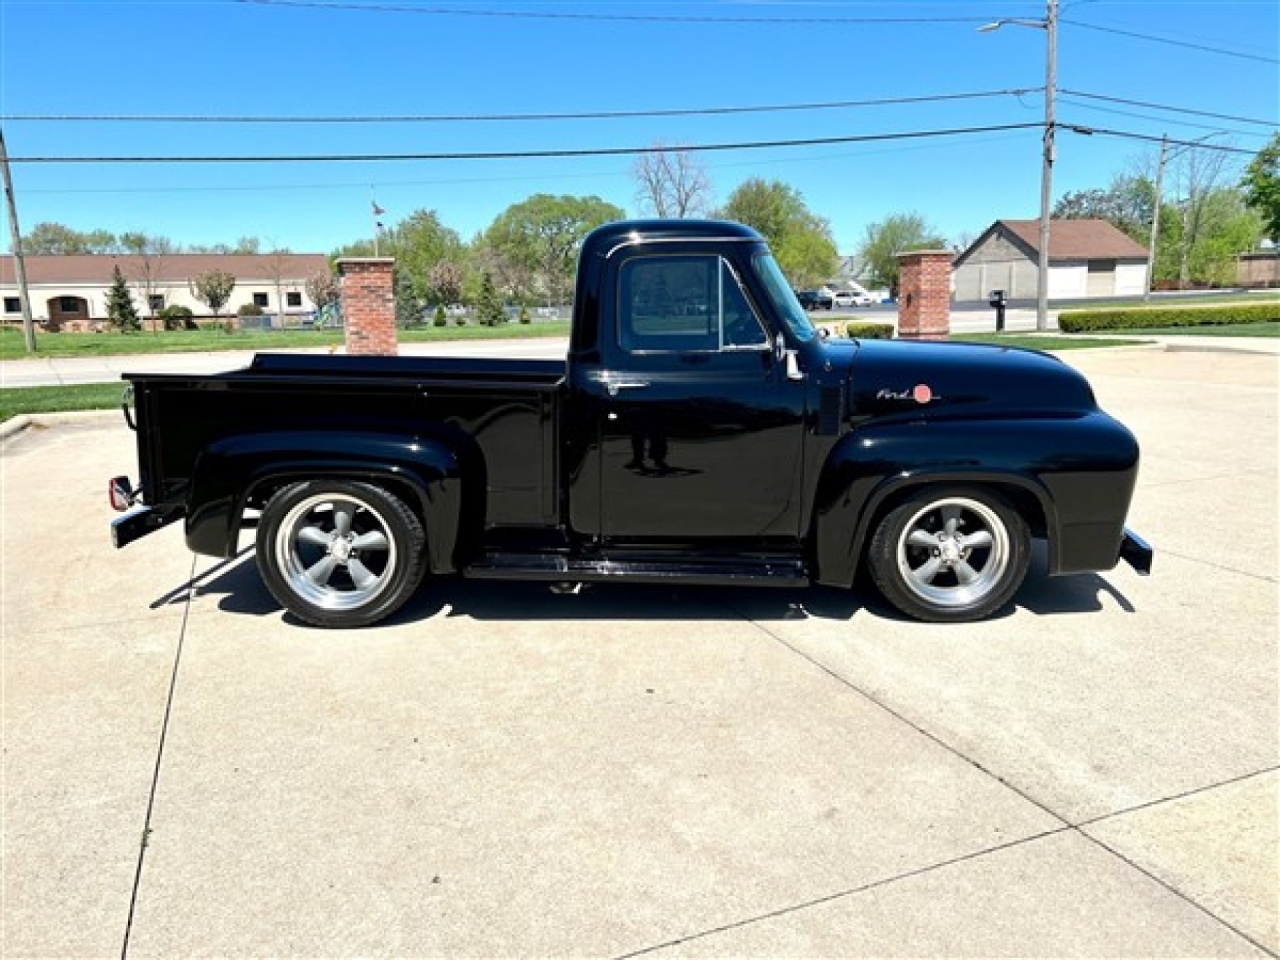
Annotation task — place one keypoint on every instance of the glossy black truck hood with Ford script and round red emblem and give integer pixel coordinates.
(961, 380)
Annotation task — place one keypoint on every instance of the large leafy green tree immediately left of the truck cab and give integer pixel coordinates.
(541, 239)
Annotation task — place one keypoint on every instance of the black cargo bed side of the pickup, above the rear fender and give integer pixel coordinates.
(504, 410)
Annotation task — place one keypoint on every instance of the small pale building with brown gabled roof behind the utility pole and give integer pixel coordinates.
(1086, 259)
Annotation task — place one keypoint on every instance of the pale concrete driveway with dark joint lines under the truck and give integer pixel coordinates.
(692, 772)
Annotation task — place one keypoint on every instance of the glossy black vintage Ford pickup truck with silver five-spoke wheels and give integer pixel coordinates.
(700, 431)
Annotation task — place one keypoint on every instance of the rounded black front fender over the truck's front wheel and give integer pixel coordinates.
(1072, 479)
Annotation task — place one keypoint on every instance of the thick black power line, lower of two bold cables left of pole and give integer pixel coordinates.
(519, 154)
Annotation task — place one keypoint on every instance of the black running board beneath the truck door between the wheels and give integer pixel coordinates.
(706, 573)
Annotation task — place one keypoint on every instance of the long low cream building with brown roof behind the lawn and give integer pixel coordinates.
(70, 292)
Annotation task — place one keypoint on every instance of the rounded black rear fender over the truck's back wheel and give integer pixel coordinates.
(240, 470)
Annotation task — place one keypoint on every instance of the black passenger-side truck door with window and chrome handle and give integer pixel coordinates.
(701, 431)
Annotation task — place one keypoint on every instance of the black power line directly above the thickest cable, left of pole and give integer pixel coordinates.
(505, 118)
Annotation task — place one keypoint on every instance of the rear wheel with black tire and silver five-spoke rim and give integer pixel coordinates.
(340, 554)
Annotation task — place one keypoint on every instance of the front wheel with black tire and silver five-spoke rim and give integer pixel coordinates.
(950, 555)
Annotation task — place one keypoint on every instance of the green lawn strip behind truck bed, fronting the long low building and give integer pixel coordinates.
(103, 345)
